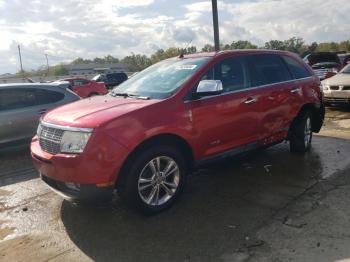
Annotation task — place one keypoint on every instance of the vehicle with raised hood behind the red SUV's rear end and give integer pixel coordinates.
(324, 64)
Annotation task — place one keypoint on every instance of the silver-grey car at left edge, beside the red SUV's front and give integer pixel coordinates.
(21, 106)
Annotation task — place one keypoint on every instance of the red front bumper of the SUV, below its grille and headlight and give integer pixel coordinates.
(83, 175)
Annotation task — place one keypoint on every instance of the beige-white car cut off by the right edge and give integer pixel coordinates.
(337, 88)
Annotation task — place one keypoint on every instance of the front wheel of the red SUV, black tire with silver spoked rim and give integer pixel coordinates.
(155, 179)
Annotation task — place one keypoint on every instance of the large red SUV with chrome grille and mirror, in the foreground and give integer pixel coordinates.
(146, 136)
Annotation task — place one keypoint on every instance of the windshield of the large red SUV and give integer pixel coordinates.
(162, 79)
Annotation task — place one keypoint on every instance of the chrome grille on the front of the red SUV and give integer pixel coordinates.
(50, 139)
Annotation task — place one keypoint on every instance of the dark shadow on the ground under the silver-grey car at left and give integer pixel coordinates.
(16, 166)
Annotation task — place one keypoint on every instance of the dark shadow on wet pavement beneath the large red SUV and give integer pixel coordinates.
(222, 205)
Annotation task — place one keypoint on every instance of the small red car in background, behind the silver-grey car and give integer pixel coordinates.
(86, 88)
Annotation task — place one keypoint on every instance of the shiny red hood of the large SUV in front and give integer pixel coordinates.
(95, 111)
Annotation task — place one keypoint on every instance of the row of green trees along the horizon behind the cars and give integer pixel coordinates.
(137, 62)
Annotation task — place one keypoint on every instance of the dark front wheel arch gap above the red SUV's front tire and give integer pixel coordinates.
(161, 139)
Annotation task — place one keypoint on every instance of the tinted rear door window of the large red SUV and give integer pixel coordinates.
(267, 69)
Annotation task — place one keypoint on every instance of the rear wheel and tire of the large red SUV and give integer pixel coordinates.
(301, 133)
